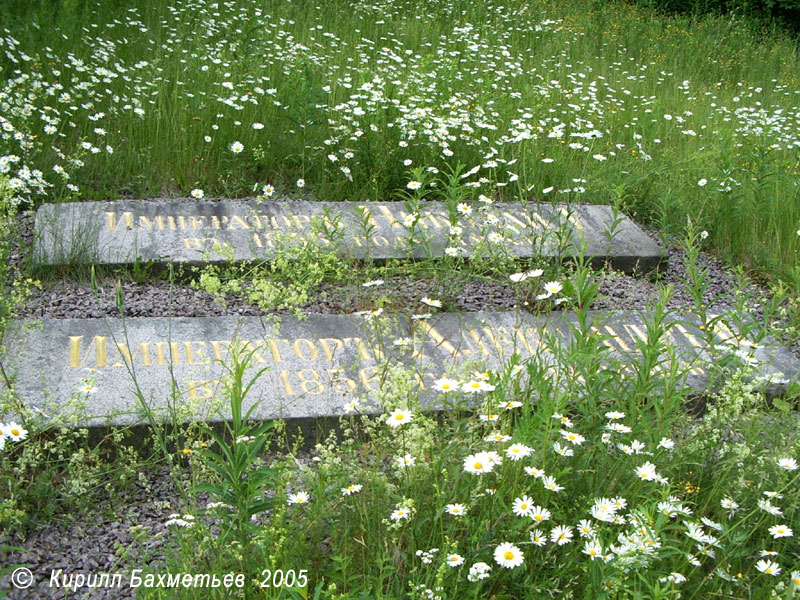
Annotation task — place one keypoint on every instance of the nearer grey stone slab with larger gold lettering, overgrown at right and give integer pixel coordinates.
(313, 367)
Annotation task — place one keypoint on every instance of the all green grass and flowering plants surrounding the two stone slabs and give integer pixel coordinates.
(688, 124)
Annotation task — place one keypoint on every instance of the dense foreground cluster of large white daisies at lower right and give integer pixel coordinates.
(625, 532)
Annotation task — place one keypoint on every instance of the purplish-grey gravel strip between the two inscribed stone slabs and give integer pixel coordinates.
(64, 298)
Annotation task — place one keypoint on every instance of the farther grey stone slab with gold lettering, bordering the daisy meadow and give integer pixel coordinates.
(240, 230)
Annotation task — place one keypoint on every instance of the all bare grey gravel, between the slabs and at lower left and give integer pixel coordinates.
(94, 543)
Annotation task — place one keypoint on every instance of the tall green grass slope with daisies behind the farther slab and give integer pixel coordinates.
(676, 100)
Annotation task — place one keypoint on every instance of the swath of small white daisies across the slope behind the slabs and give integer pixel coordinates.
(62, 103)
